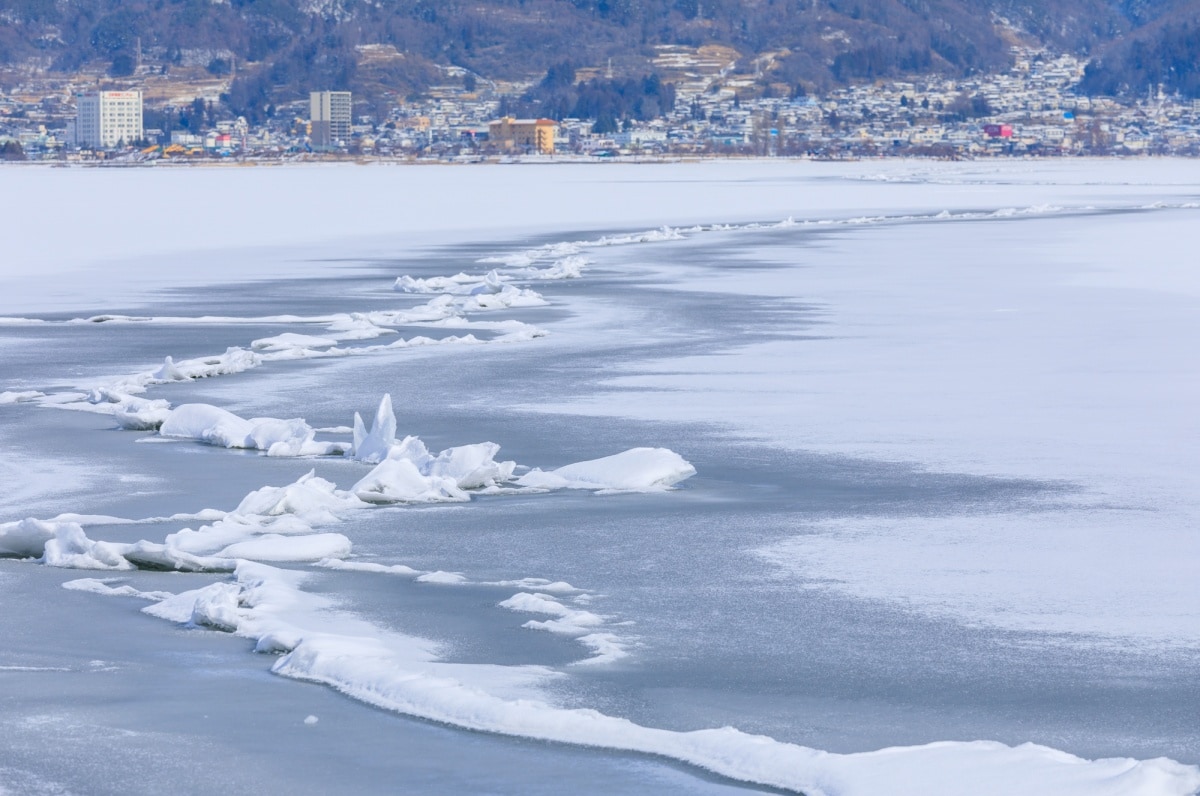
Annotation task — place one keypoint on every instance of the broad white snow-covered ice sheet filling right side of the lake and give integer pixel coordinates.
(987, 355)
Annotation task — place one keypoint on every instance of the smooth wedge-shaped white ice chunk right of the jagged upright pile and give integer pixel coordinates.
(639, 470)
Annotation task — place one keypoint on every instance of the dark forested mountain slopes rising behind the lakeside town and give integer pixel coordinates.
(382, 49)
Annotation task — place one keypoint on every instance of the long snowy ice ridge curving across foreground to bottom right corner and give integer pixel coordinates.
(400, 673)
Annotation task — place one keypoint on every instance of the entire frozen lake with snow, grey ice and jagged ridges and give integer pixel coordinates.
(941, 418)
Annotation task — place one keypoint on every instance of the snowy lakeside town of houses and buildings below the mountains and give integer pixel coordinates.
(723, 106)
